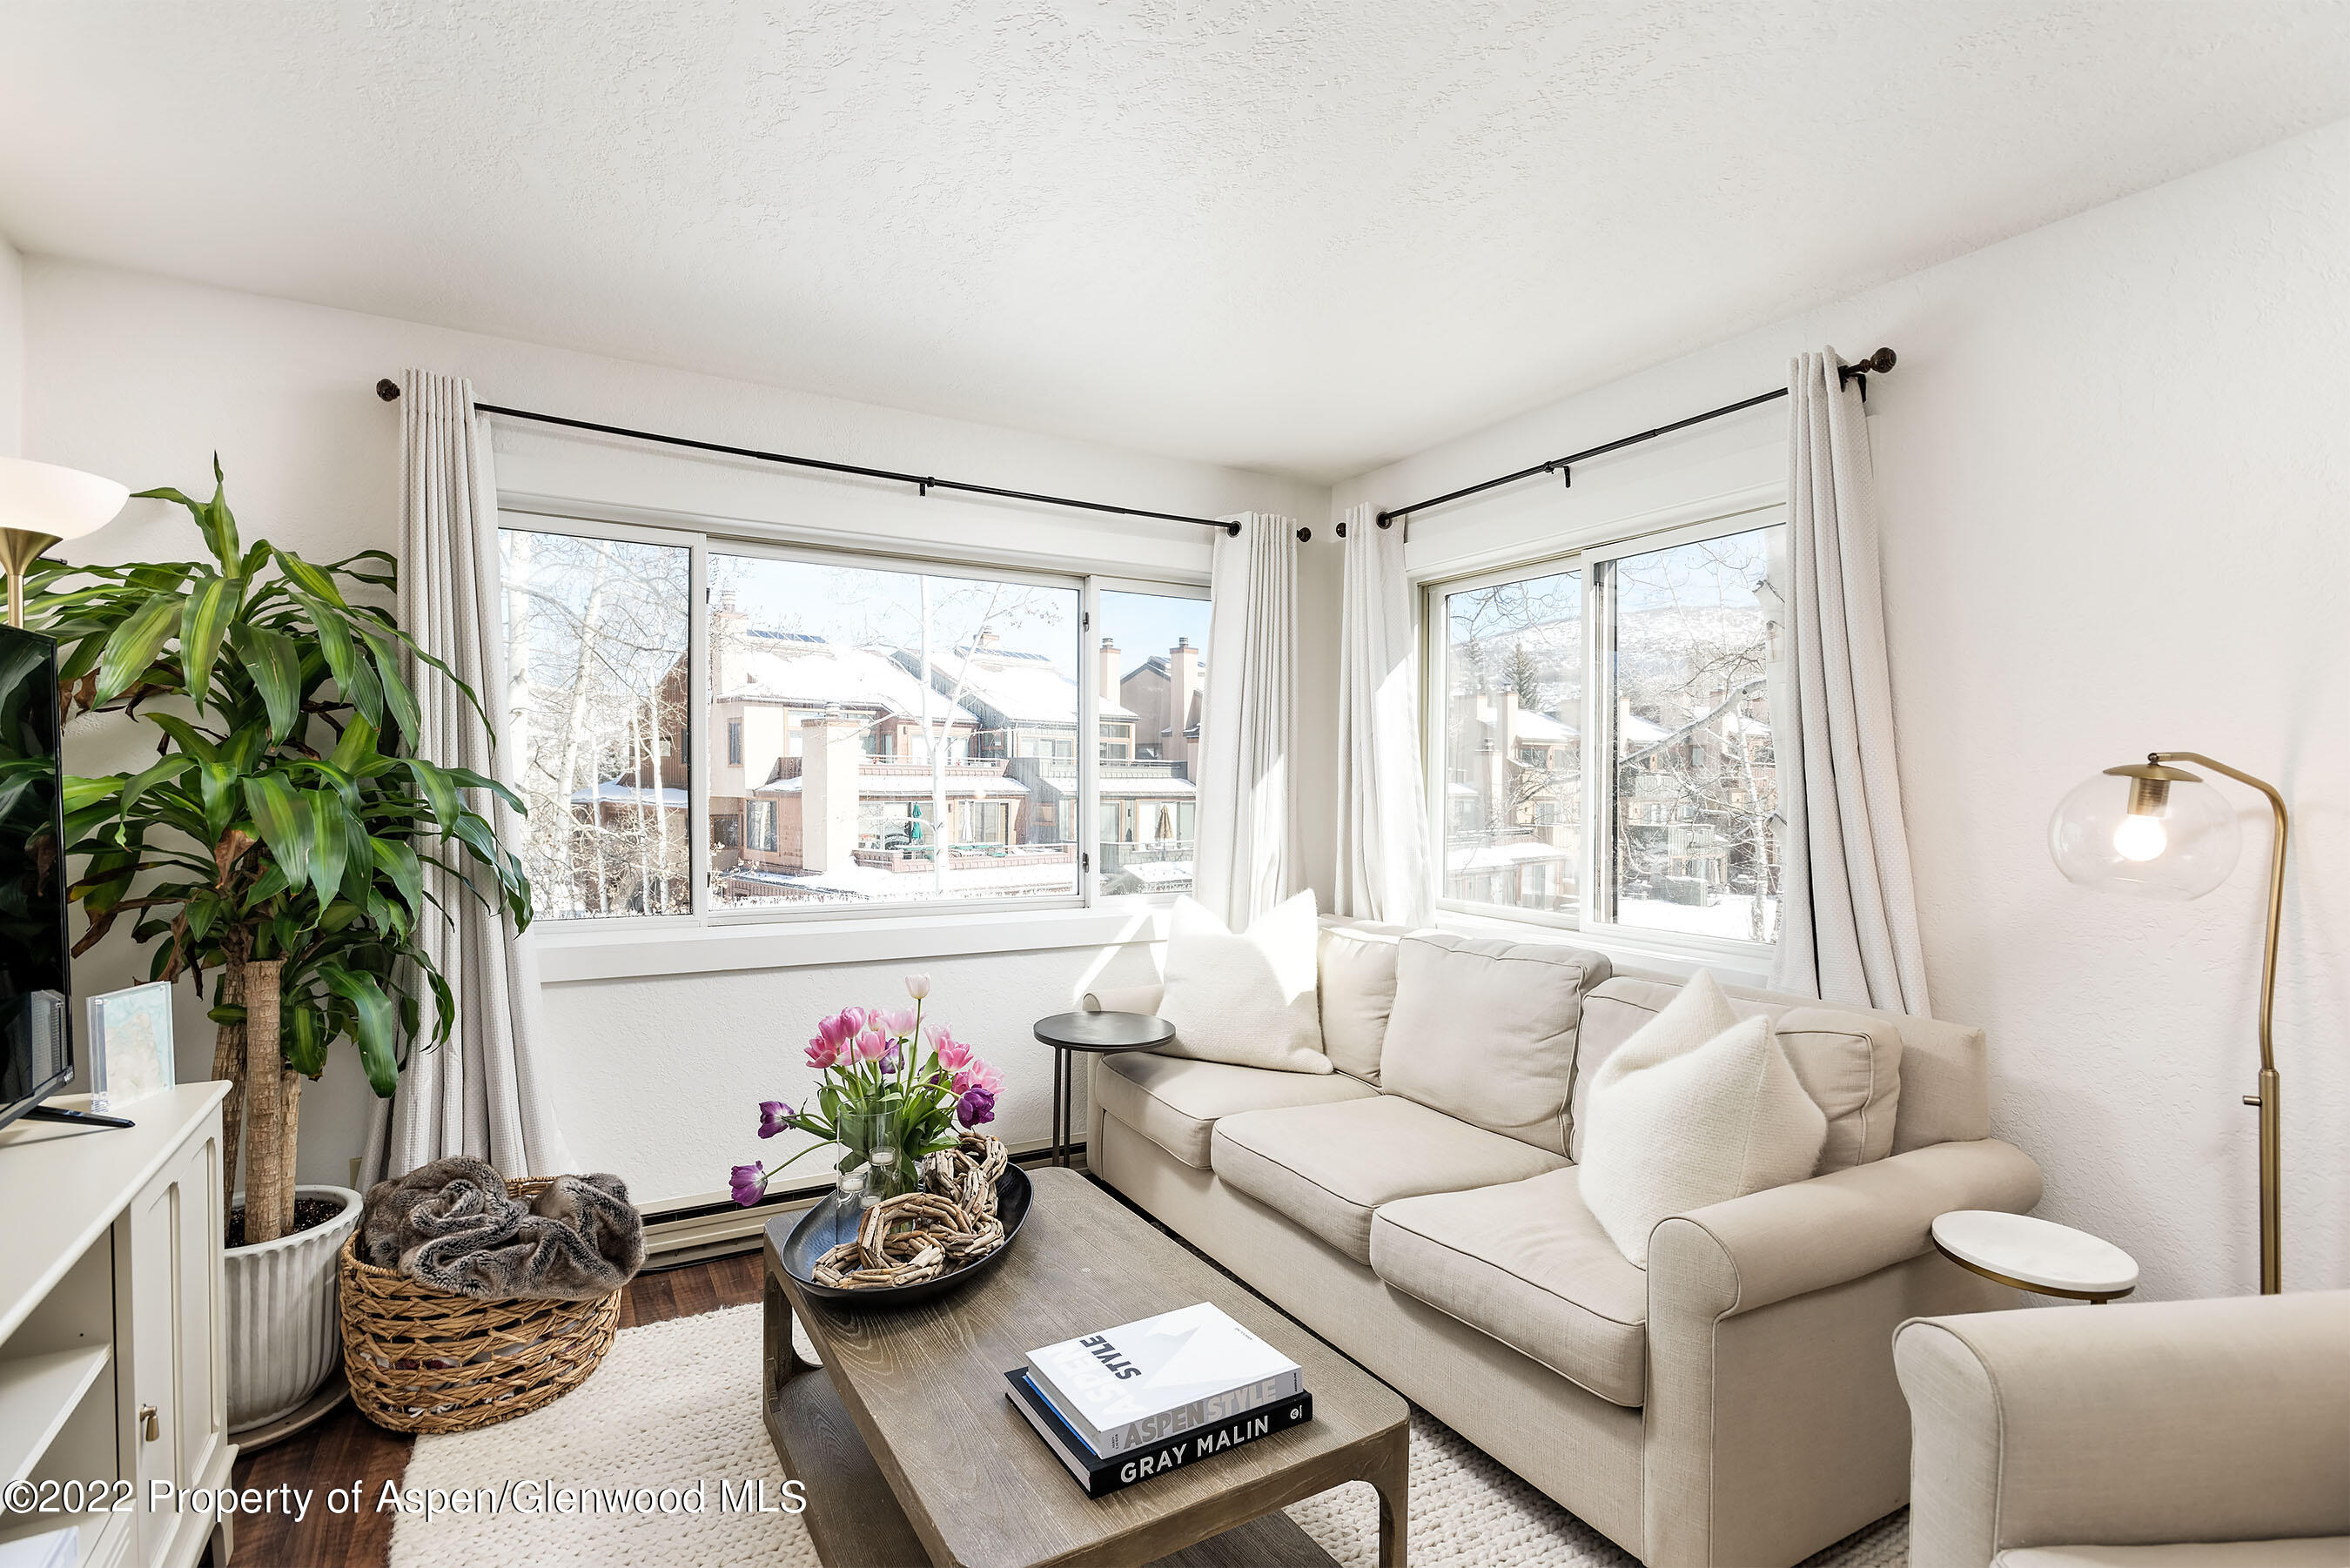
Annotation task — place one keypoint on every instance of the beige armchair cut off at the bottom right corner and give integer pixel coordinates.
(2170, 1435)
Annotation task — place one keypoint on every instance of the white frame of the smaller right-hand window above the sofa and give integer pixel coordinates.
(1594, 636)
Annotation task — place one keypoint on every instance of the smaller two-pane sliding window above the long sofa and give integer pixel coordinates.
(1644, 796)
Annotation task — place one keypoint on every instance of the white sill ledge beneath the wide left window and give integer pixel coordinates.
(687, 946)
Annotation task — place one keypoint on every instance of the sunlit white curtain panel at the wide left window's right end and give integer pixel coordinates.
(1247, 791)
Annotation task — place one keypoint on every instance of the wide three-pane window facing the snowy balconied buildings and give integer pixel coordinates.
(727, 728)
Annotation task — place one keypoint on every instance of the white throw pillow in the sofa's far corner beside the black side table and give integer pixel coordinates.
(1251, 998)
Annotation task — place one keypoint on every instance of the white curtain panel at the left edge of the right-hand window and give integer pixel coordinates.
(1383, 833)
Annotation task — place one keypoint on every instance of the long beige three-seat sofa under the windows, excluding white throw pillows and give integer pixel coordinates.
(1733, 1405)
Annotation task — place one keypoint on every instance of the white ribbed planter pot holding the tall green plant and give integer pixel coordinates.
(283, 1332)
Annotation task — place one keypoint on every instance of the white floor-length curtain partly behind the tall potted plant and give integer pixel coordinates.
(485, 1090)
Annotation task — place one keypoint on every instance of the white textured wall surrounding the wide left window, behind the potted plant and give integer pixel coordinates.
(145, 380)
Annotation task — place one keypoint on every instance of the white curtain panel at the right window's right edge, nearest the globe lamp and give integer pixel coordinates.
(1848, 925)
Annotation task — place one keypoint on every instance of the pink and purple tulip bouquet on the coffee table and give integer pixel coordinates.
(892, 1092)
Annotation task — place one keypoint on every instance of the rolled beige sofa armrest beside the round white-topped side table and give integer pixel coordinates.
(1768, 1247)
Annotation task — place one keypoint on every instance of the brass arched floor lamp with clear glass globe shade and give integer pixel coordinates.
(2158, 831)
